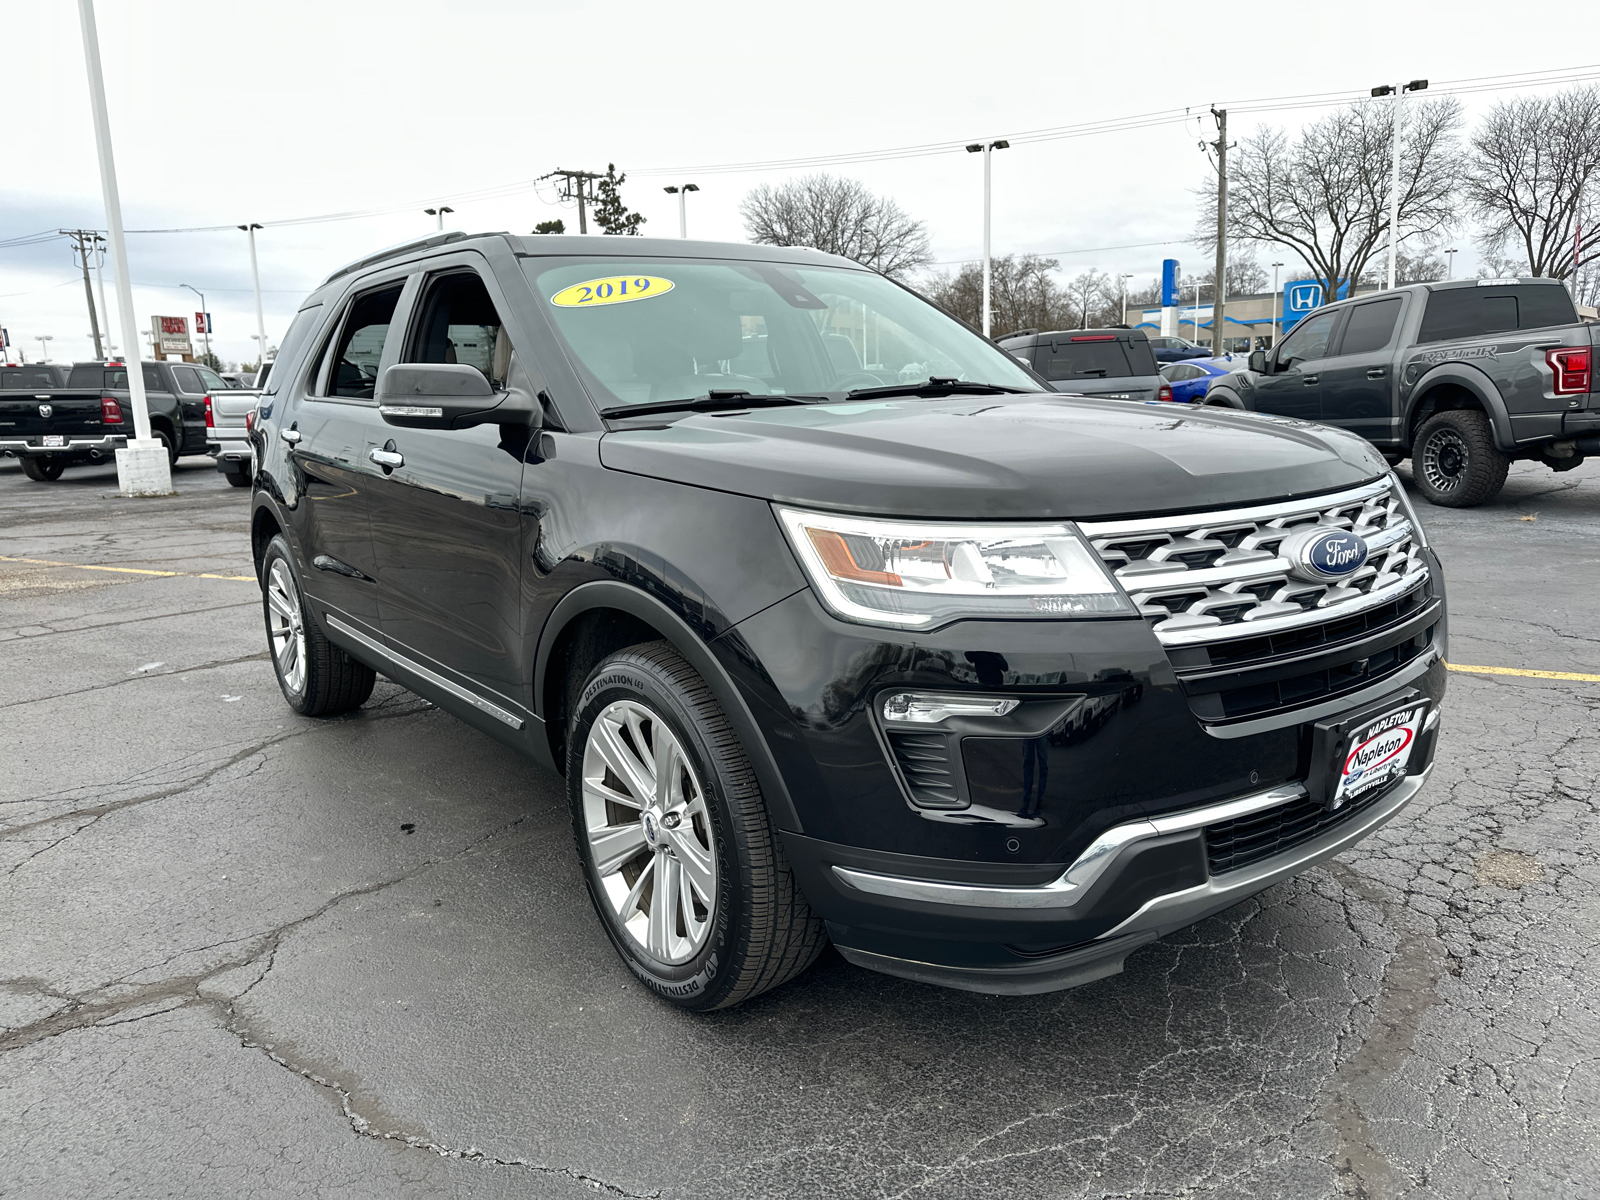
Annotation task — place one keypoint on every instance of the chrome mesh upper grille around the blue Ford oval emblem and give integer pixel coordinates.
(1215, 577)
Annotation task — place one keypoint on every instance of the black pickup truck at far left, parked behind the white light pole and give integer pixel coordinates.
(89, 420)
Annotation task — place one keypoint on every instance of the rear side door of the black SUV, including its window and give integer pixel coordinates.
(334, 426)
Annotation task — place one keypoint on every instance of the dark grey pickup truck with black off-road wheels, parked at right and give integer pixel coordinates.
(1462, 378)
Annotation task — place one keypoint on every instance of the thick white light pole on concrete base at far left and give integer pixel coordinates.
(143, 468)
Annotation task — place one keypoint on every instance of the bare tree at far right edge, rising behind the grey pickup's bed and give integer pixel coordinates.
(1530, 174)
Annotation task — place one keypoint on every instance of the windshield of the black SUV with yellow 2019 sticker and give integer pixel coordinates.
(662, 330)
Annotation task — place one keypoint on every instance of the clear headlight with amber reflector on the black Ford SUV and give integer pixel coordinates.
(918, 575)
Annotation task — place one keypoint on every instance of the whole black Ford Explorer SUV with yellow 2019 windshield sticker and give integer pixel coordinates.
(838, 622)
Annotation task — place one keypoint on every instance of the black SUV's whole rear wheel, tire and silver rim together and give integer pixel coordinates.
(318, 679)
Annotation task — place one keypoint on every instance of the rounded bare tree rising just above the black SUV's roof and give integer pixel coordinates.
(839, 217)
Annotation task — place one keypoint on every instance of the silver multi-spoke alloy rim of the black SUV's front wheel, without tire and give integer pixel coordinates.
(650, 833)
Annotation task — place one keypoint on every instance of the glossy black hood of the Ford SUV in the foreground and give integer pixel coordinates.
(1017, 457)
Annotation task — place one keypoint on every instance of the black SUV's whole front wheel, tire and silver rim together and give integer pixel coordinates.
(735, 924)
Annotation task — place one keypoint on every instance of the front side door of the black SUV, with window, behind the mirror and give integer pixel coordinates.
(447, 529)
